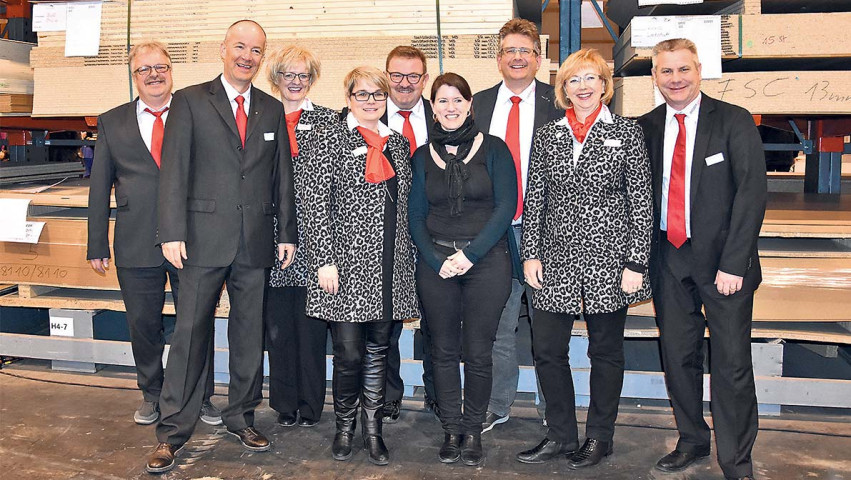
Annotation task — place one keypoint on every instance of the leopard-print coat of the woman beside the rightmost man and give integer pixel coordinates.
(585, 222)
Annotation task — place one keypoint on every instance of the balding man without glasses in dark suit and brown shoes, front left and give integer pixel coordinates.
(226, 170)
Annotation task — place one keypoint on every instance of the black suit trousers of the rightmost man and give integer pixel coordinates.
(678, 298)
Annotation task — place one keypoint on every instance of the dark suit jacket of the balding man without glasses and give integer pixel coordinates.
(213, 190)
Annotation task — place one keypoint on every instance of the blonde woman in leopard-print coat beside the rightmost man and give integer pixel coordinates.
(587, 222)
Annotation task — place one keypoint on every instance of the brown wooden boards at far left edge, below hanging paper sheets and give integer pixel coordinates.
(16, 77)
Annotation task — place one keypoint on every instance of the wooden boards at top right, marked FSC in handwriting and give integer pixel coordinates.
(774, 63)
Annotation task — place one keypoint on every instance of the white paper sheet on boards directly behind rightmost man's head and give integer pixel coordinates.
(703, 30)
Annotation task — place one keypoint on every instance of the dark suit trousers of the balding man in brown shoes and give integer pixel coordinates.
(180, 401)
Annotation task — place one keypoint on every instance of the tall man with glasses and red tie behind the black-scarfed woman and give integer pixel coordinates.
(513, 110)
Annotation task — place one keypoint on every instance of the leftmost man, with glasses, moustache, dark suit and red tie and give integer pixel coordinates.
(128, 158)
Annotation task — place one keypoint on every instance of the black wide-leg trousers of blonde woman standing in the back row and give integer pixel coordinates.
(296, 346)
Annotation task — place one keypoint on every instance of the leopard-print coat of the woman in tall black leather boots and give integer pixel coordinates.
(344, 226)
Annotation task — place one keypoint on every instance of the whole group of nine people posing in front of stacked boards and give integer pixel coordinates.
(448, 210)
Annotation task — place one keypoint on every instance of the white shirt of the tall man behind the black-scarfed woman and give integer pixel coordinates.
(499, 122)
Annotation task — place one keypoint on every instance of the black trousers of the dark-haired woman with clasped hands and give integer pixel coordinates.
(463, 315)
